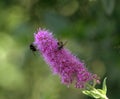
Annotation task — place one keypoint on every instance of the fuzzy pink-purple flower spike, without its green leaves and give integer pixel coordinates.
(61, 61)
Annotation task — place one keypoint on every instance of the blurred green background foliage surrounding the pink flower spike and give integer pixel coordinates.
(91, 28)
